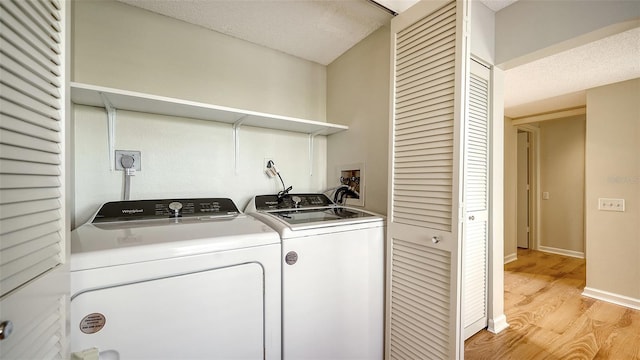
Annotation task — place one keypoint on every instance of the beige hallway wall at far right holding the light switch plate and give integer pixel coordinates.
(613, 171)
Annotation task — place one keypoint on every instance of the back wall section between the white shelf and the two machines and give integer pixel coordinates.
(186, 158)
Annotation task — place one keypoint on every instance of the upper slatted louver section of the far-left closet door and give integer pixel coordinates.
(30, 161)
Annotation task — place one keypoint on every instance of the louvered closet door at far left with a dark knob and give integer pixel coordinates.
(33, 279)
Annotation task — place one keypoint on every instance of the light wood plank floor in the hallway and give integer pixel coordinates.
(549, 319)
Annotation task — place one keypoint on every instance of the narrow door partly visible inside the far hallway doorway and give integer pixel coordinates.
(522, 212)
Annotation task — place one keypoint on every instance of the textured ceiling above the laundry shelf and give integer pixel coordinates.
(318, 31)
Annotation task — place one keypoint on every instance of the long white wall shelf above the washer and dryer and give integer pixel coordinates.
(92, 95)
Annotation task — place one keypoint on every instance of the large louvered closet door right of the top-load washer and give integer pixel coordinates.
(423, 265)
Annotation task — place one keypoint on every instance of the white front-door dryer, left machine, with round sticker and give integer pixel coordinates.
(175, 279)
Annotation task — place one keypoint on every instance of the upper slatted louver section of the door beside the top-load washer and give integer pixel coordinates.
(424, 112)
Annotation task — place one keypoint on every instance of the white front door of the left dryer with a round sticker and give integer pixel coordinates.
(208, 314)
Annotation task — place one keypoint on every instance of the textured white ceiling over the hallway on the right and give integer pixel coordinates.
(559, 81)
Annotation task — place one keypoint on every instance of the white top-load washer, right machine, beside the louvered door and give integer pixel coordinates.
(332, 276)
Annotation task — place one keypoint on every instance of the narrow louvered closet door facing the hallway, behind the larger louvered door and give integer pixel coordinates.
(476, 200)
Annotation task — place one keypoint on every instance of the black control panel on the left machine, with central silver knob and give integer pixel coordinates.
(166, 208)
